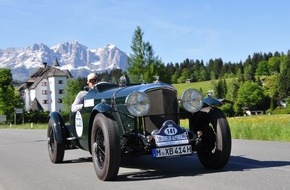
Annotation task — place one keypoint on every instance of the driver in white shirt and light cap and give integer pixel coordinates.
(79, 100)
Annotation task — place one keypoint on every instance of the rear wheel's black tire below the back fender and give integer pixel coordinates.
(55, 149)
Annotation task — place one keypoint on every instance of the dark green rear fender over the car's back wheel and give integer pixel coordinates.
(57, 126)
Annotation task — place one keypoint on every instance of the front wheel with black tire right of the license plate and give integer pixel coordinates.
(215, 149)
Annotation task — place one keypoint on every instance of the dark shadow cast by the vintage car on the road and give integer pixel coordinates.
(185, 166)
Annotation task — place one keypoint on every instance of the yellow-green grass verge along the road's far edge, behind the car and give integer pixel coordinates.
(262, 127)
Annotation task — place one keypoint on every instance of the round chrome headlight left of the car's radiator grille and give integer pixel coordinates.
(138, 103)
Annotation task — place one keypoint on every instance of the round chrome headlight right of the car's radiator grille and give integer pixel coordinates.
(191, 100)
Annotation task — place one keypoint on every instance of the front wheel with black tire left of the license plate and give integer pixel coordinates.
(105, 145)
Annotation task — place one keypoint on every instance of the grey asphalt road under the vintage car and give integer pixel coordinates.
(24, 164)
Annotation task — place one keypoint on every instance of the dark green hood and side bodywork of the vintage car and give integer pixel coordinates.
(115, 97)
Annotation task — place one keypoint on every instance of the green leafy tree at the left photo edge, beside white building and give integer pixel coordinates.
(7, 94)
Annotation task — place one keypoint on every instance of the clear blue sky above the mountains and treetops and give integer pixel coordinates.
(194, 29)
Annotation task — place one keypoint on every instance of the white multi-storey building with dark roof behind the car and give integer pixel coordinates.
(45, 89)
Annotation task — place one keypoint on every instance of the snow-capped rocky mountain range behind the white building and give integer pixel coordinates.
(75, 57)
